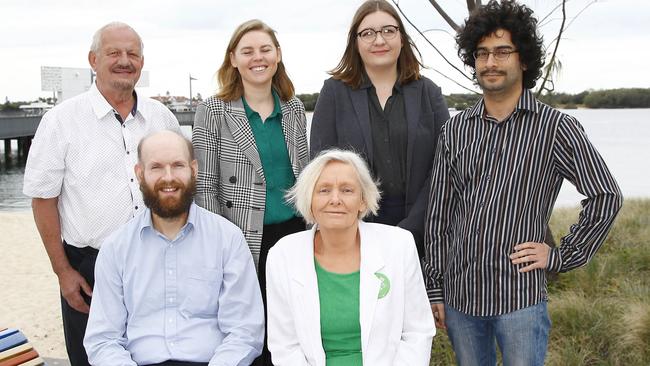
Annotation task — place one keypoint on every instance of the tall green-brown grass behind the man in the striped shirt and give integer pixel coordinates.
(600, 313)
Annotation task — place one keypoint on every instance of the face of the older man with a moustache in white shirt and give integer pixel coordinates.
(119, 61)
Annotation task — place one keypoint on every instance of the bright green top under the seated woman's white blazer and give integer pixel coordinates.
(339, 316)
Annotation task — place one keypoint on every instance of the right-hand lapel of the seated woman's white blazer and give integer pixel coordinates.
(369, 284)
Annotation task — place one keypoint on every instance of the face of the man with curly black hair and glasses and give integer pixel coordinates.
(499, 76)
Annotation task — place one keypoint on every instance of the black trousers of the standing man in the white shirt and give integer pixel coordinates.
(74, 323)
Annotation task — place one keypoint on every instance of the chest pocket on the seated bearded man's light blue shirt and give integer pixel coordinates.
(203, 288)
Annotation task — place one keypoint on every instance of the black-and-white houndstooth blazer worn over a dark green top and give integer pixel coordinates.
(231, 180)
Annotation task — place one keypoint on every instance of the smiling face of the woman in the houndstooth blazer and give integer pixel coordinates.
(256, 58)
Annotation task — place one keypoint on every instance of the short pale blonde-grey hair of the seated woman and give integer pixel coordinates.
(300, 195)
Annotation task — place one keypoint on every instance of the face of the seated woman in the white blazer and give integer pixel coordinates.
(337, 197)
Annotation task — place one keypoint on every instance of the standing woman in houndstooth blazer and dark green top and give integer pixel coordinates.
(250, 142)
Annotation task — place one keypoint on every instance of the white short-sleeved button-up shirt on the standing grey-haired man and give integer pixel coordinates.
(83, 155)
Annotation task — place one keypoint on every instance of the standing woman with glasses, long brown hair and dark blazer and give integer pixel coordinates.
(378, 104)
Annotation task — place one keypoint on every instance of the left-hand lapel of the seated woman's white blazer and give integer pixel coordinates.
(303, 277)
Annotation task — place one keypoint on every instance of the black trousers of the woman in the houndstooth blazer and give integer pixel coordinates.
(270, 236)
